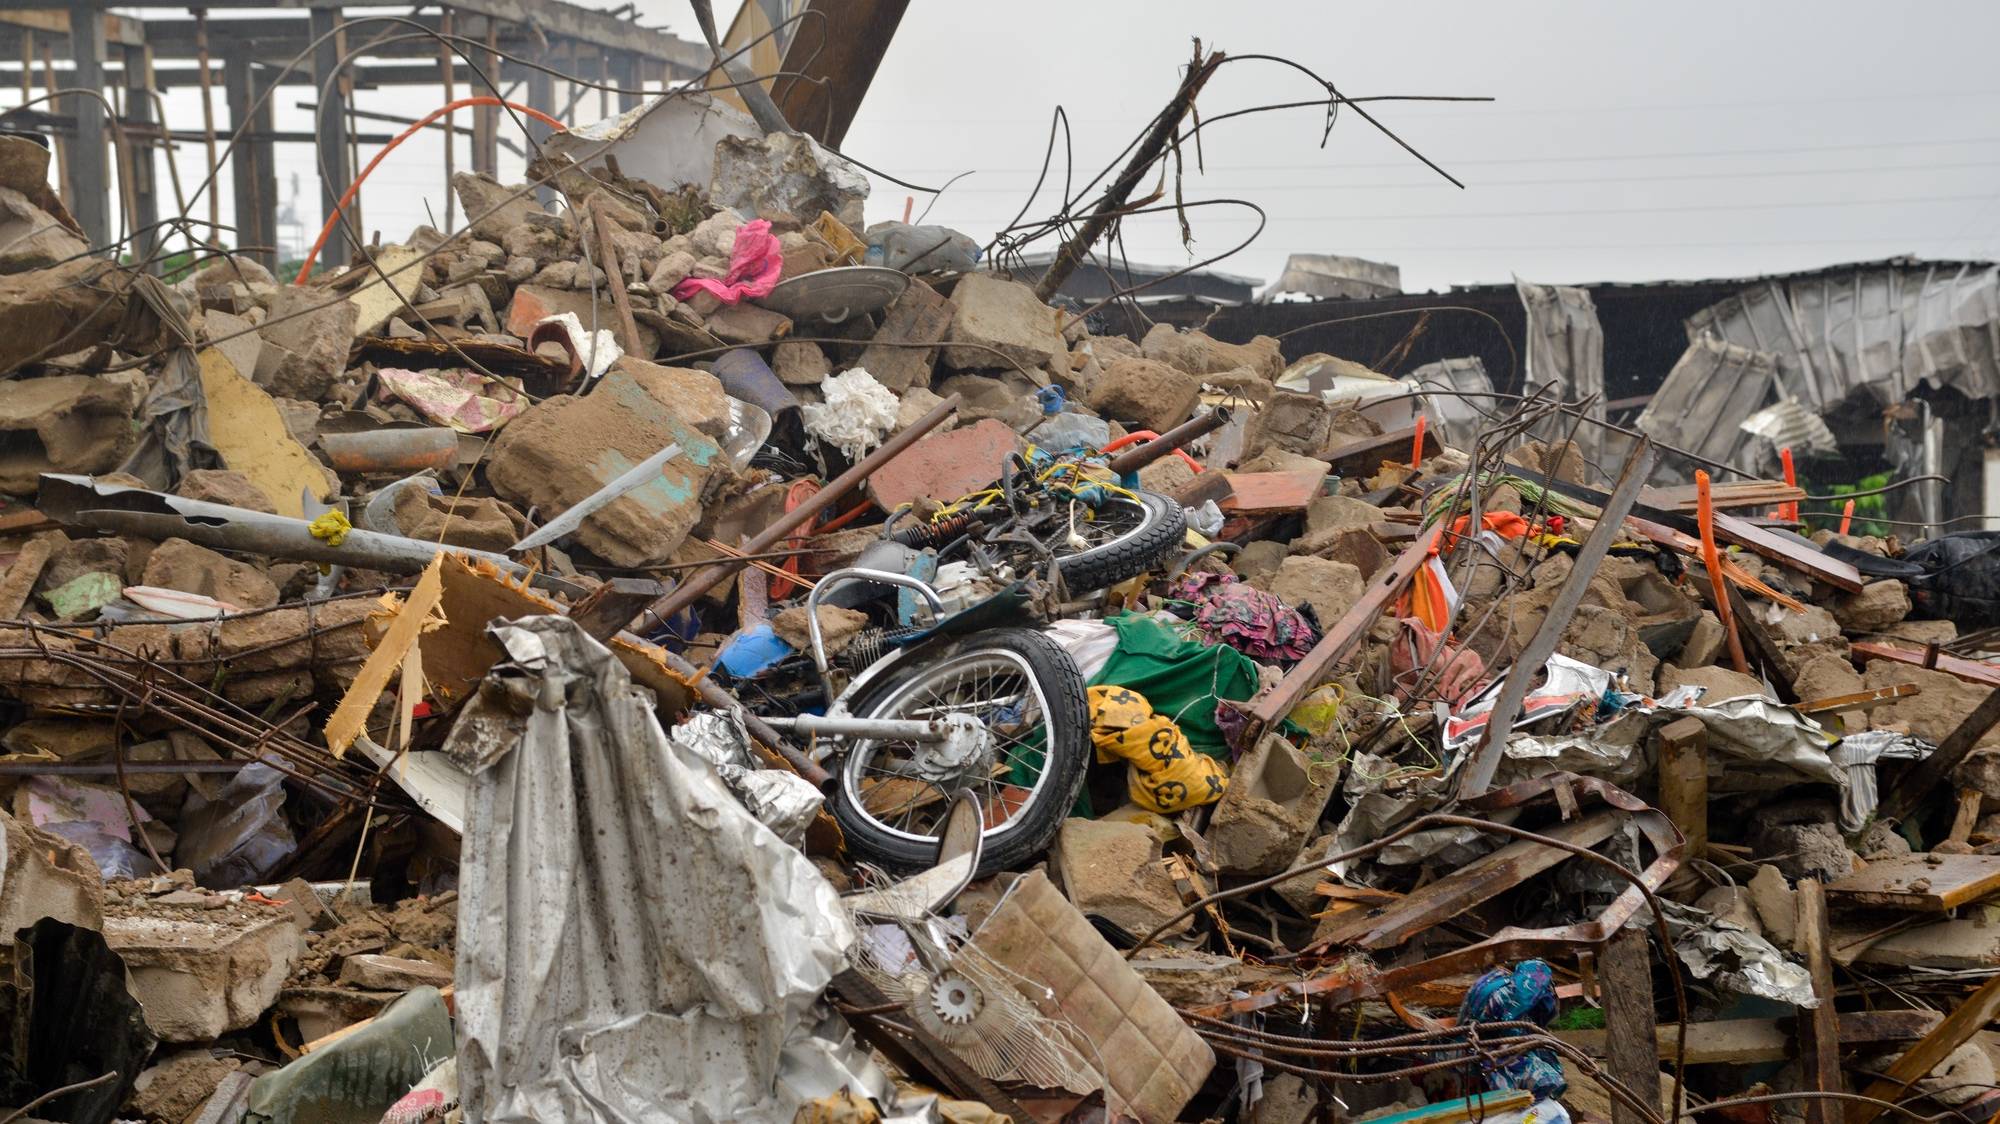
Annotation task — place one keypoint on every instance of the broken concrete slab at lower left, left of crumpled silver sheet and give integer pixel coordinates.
(205, 973)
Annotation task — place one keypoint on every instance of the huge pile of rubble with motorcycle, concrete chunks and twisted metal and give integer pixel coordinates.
(683, 651)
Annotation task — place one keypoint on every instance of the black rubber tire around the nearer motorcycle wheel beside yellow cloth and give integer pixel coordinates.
(1033, 827)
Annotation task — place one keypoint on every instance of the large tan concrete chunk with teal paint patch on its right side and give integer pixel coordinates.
(563, 449)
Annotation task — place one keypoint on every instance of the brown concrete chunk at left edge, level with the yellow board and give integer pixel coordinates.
(67, 423)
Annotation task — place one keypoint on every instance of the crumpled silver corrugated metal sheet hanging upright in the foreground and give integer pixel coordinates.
(635, 947)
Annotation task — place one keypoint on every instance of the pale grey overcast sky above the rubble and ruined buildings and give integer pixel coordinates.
(1625, 143)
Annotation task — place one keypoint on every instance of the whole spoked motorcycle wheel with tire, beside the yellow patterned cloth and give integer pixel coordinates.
(1023, 705)
